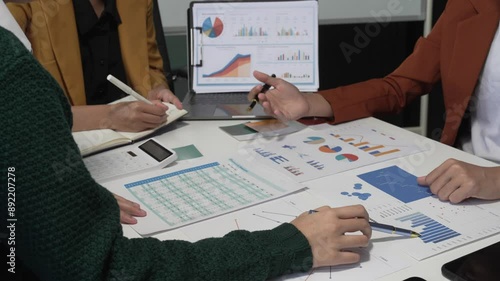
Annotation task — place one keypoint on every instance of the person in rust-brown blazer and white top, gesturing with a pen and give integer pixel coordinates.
(463, 52)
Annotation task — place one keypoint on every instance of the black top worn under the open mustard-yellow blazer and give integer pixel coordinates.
(100, 50)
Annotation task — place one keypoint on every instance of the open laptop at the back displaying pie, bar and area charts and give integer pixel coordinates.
(228, 40)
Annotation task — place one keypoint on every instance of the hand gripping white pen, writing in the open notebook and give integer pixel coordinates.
(136, 116)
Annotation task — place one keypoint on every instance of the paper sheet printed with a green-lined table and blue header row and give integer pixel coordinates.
(199, 192)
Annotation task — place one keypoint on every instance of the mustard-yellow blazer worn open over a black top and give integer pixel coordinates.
(51, 28)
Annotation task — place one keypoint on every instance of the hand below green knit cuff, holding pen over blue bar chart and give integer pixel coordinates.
(326, 232)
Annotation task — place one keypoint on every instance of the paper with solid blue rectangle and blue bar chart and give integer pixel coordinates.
(392, 196)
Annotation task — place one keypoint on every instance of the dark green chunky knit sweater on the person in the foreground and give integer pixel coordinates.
(68, 226)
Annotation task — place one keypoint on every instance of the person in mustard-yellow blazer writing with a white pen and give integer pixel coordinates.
(81, 42)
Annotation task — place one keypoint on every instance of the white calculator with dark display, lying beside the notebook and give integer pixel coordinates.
(129, 160)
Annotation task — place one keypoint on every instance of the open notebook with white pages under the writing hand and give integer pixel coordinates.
(93, 141)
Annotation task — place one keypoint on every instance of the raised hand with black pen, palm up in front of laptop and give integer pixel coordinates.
(284, 101)
